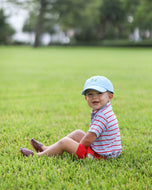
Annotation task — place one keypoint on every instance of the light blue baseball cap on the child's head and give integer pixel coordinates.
(99, 83)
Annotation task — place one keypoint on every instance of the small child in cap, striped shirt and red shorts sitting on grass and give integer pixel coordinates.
(102, 140)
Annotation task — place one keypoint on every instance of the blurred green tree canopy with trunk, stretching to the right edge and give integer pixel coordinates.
(90, 20)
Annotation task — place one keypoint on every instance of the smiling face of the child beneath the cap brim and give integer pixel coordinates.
(96, 100)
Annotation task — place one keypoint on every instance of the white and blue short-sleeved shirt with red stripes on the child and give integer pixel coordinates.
(105, 125)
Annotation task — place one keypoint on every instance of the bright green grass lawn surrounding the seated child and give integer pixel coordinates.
(40, 96)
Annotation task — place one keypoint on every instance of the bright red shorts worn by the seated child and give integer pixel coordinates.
(82, 152)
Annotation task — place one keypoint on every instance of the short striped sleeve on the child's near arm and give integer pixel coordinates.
(98, 126)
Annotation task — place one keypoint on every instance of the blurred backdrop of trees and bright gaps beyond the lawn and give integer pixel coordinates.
(76, 22)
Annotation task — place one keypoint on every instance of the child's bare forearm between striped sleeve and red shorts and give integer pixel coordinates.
(88, 139)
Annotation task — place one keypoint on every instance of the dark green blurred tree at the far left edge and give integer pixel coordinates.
(6, 31)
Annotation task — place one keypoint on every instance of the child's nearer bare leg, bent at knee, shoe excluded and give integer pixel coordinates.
(66, 144)
